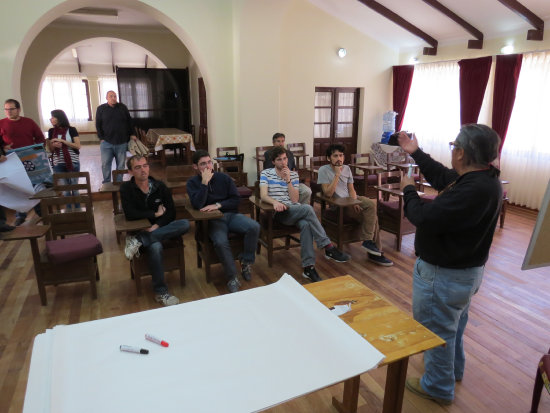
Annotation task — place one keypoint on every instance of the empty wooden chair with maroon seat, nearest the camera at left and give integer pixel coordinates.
(71, 244)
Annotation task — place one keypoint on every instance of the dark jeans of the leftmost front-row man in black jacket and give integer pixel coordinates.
(152, 242)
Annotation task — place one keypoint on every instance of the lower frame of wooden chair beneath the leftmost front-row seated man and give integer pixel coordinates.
(173, 258)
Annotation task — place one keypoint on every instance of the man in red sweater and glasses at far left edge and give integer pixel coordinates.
(17, 131)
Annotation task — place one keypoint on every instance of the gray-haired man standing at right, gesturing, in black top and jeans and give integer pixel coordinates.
(453, 237)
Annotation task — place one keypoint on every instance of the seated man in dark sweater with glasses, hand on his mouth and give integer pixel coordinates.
(210, 191)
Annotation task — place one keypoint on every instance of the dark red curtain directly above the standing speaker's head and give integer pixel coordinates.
(474, 75)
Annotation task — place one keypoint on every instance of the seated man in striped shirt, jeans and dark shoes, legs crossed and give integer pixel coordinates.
(279, 187)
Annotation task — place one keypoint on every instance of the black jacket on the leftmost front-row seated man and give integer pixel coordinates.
(138, 205)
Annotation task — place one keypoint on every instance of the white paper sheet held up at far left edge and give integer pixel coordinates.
(15, 185)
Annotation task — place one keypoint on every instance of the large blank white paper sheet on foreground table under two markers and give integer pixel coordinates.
(240, 352)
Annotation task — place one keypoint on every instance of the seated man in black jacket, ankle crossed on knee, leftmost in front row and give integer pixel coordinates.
(145, 197)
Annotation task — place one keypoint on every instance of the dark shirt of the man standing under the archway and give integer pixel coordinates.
(113, 124)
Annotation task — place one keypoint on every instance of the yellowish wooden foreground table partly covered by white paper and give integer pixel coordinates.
(393, 332)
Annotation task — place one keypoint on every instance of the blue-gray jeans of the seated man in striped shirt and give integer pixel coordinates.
(303, 216)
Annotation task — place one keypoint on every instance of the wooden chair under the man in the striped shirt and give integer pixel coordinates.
(270, 230)
